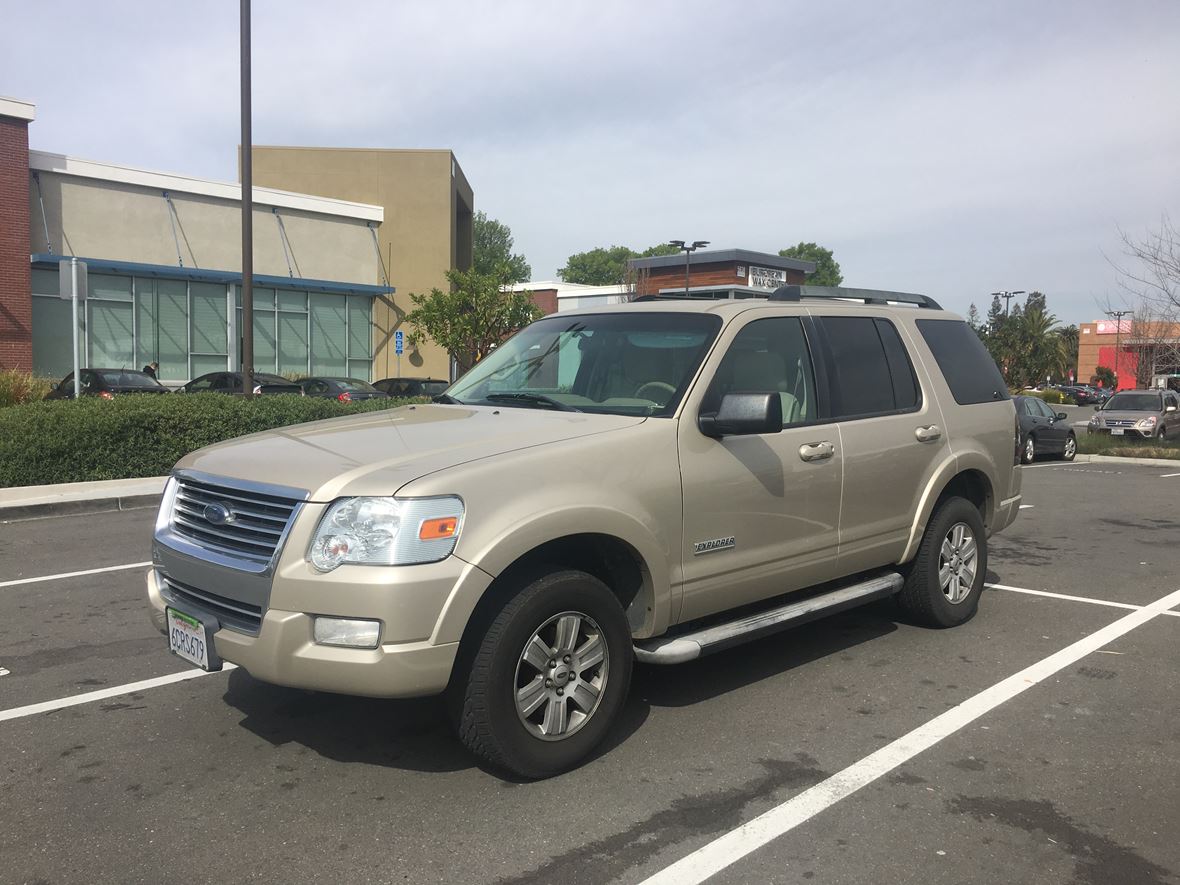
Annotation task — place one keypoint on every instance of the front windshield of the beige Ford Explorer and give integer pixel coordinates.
(626, 364)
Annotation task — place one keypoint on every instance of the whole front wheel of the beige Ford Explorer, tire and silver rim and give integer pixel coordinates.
(550, 677)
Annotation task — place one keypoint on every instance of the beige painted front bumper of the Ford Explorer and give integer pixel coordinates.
(284, 653)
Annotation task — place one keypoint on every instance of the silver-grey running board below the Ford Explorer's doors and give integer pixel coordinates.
(691, 646)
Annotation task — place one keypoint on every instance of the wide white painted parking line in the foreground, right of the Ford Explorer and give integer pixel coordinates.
(737, 844)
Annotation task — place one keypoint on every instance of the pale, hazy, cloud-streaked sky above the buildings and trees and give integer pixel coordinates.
(943, 148)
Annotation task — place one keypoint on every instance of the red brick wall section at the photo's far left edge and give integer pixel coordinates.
(16, 301)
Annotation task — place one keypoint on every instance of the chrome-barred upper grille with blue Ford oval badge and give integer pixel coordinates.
(253, 530)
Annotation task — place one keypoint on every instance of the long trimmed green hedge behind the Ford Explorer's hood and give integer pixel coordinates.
(141, 436)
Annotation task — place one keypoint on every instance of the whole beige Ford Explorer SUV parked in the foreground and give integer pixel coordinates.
(647, 482)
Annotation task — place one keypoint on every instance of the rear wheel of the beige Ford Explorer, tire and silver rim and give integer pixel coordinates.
(946, 579)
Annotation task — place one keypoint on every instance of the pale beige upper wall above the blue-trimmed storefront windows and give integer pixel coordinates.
(129, 222)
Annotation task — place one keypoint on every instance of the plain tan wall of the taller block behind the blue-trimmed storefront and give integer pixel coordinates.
(427, 231)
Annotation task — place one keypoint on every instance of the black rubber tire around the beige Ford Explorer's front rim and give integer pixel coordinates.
(488, 719)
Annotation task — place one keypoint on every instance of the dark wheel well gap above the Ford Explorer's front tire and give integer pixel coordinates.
(611, 560)
